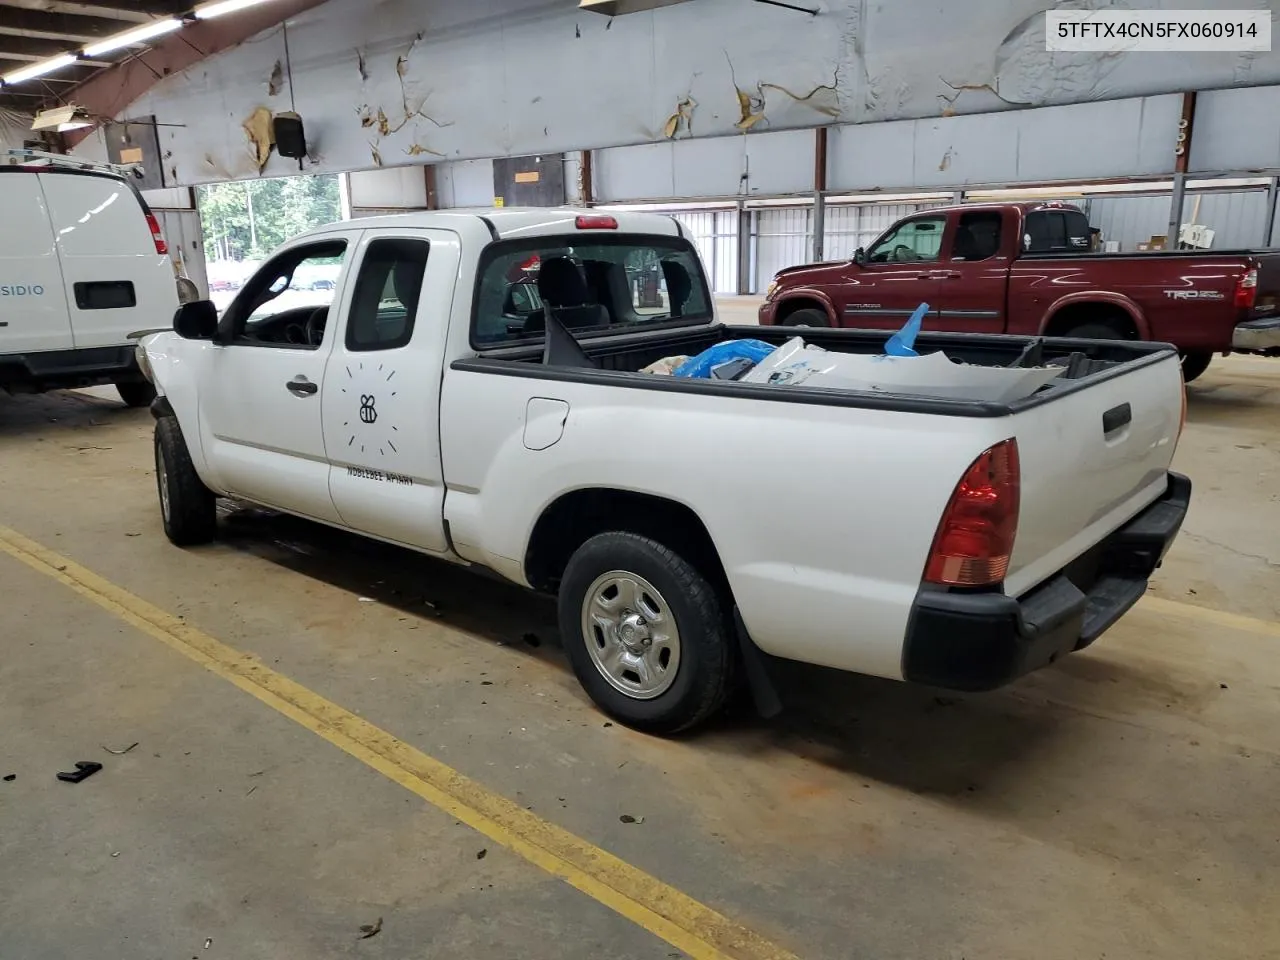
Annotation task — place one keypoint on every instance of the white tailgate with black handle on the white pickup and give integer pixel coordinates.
(1091, 460)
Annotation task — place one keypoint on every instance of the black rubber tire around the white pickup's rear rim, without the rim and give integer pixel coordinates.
(707, 651)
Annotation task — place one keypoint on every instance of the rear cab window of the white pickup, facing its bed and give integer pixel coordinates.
(600, 285)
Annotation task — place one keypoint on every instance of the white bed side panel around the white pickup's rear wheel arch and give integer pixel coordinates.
(822, 516)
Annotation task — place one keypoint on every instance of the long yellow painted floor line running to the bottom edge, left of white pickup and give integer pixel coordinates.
(659, 908)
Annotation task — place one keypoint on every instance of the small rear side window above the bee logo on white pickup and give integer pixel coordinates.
(388, 290)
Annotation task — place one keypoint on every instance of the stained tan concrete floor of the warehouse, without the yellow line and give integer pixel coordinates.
(1122, 804)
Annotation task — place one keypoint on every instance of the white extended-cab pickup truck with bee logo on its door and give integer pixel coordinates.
(473, 388)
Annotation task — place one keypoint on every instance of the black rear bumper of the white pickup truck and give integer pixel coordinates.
(981, 642)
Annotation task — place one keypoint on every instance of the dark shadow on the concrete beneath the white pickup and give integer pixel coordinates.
(920, 739)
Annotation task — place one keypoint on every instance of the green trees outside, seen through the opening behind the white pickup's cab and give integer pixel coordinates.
(249, 220)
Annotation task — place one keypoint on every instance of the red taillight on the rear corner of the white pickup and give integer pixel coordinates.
(976, 536)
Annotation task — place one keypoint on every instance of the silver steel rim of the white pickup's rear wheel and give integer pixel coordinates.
(632, 636)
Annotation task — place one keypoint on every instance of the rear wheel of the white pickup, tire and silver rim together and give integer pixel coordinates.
(647, 634)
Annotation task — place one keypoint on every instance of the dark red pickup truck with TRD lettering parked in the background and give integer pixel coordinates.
(1030, 269)
